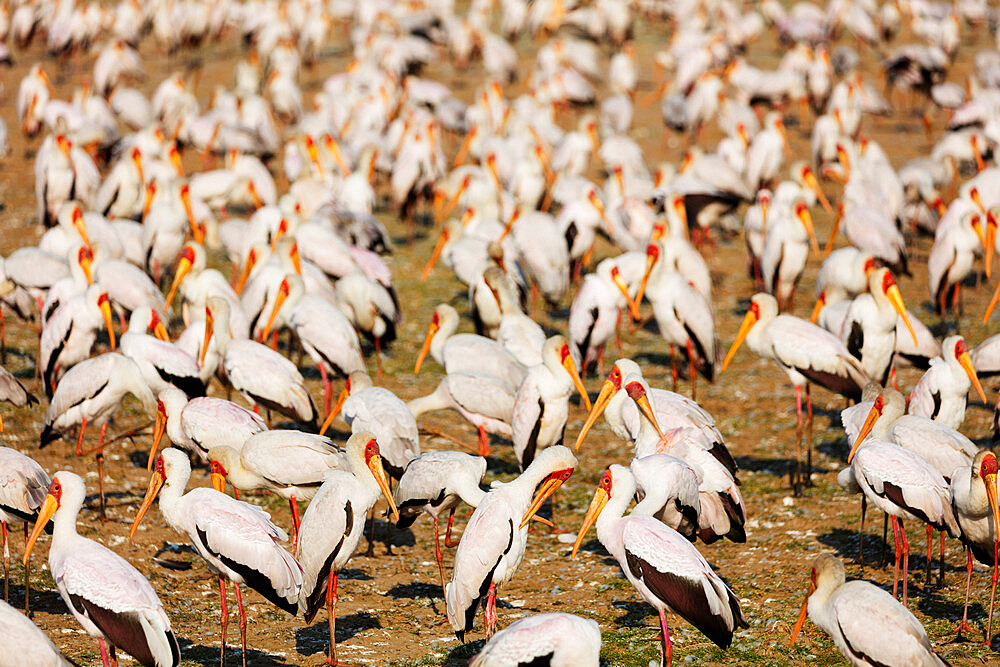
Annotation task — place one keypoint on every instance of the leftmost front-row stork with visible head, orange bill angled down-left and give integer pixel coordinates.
(104, 592)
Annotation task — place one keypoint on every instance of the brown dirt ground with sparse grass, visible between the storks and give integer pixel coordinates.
(391, 610)
